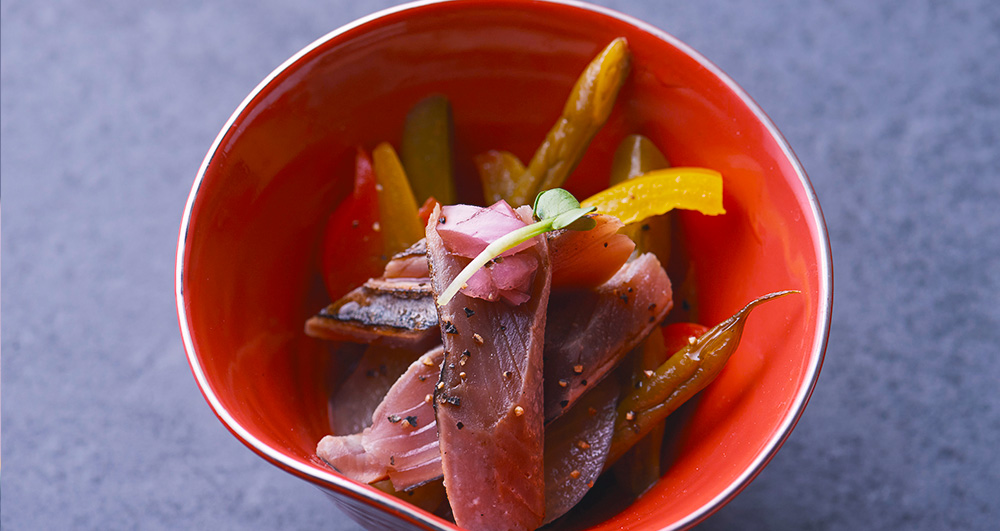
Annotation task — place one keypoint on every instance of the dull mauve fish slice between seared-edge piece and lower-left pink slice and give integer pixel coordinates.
(356, 399)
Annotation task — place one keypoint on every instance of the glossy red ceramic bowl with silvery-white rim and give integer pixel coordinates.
(247, 264)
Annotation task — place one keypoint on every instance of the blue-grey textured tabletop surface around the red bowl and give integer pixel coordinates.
(108, 108)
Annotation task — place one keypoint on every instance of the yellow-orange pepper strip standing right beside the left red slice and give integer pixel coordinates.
(399, 220)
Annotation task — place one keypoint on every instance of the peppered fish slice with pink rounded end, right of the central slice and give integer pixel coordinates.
(590, 331)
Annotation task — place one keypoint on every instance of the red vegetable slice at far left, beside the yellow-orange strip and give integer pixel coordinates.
(352, 245)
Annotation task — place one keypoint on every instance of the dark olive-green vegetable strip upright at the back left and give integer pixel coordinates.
(426, 149)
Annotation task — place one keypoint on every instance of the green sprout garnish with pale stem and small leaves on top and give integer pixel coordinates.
(554, 209)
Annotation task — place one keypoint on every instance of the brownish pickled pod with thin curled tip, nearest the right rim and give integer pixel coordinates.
(678, 379)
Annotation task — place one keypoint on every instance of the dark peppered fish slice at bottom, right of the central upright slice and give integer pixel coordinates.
(576, 448)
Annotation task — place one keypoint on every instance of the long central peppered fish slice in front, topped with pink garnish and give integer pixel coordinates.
(489, 400)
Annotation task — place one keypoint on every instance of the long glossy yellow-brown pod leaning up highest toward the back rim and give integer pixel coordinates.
(586, 110)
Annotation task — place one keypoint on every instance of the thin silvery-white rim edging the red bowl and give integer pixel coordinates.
(343, 485)
